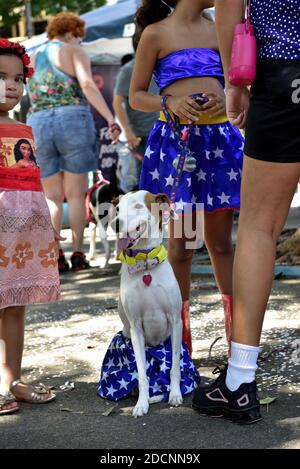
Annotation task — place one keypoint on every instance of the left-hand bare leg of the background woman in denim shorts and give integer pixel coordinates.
(54, 192)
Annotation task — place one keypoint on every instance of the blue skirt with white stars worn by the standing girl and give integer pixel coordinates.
(216, 181)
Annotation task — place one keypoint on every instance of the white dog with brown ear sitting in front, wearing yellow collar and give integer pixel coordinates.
(150, 300)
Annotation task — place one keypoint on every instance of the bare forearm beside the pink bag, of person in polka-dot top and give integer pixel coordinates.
(228, 14)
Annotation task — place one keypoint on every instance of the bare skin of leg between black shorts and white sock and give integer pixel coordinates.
(267, 191)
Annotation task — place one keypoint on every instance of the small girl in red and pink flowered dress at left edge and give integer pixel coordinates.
(28, 260)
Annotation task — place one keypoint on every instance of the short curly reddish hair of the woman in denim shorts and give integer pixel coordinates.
(66, 22)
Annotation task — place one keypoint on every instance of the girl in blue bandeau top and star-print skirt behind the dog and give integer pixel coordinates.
(179, 46)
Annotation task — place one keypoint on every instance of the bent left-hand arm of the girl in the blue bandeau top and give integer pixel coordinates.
(145, 59)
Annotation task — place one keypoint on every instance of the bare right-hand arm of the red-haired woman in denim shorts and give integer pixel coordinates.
(82, 68)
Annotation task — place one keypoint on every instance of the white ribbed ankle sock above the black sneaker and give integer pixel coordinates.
(241, 365)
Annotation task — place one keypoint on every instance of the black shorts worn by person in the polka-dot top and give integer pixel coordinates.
(273, 121)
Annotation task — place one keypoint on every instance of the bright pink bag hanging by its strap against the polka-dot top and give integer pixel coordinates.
(242, 68)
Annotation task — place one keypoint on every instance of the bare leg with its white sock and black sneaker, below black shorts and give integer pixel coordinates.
(266, 195)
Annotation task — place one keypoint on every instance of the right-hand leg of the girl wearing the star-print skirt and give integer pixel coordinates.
(217, 236)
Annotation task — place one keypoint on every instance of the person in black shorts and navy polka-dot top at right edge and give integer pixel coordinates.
(271, 171)
